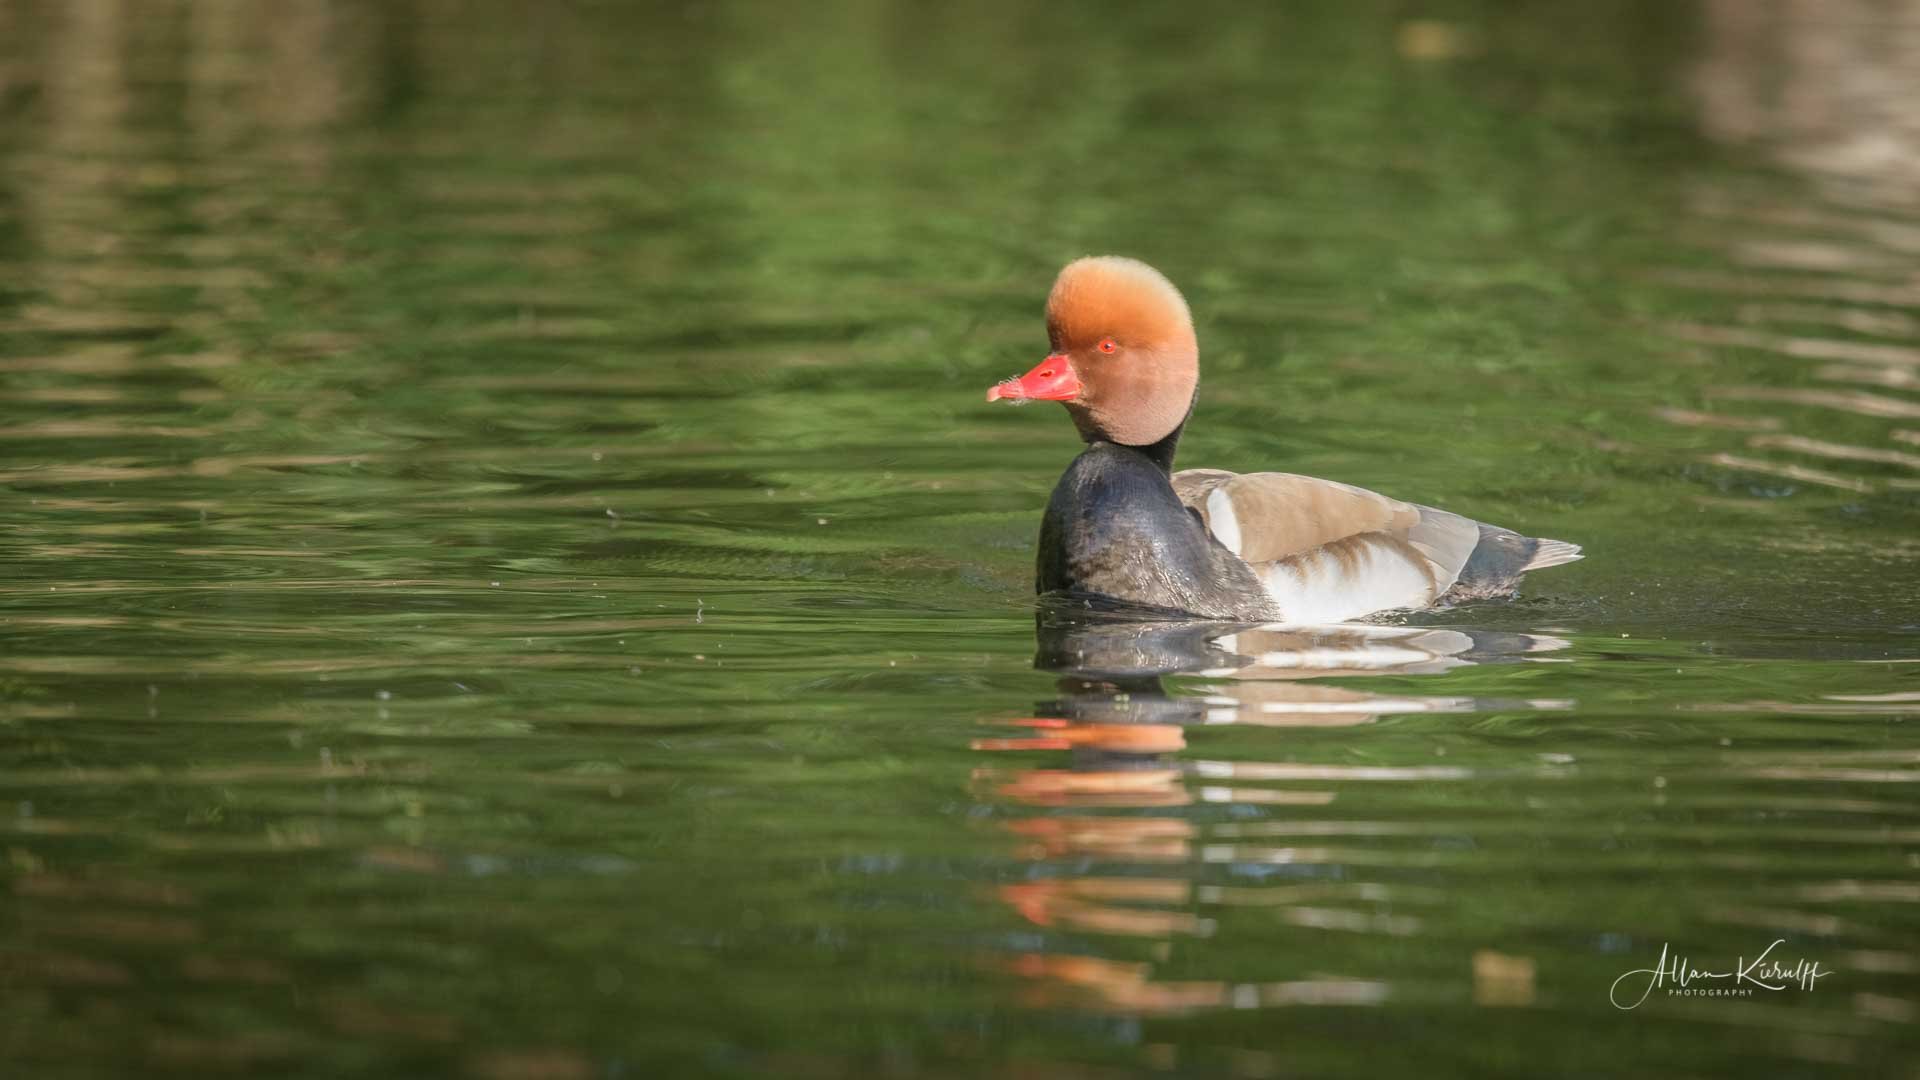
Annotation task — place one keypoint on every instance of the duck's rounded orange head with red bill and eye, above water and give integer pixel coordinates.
(1124, 355)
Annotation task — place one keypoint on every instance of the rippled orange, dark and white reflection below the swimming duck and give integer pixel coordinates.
(1124, 729)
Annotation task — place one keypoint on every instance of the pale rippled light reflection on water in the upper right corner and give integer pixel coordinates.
(1829, 272)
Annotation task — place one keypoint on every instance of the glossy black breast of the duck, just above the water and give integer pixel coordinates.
(1115, 531)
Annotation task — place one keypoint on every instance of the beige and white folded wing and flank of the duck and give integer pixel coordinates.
(1328, 551)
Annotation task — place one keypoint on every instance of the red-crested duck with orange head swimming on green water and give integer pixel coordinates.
(1126, 531)
